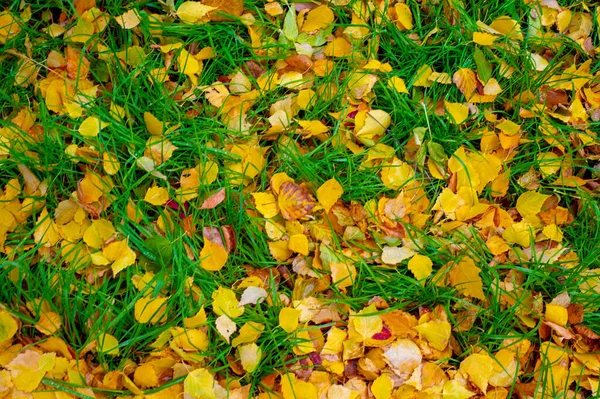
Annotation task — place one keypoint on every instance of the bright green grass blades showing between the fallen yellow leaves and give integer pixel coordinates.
(92, 306)
